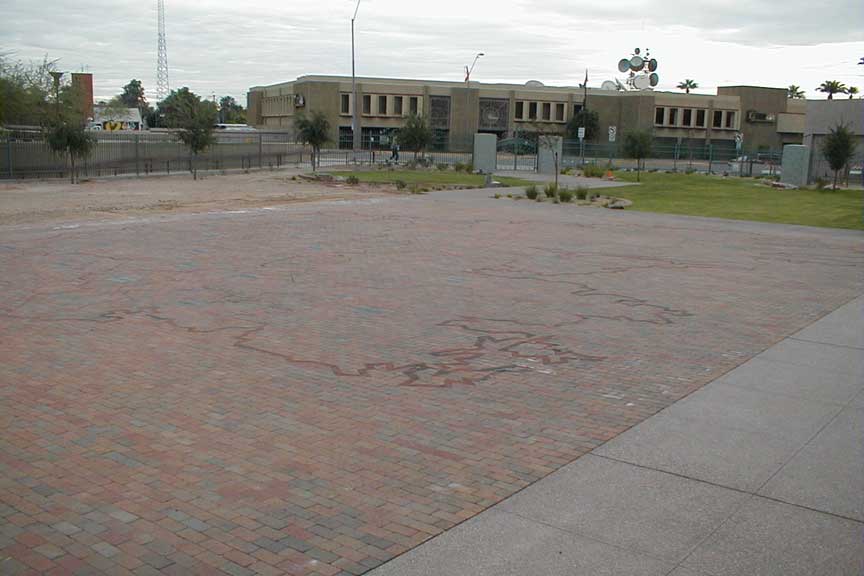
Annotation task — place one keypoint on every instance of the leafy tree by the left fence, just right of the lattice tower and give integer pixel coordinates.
(194, 119)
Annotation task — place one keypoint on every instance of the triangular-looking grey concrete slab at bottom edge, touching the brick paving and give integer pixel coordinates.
(500, 544)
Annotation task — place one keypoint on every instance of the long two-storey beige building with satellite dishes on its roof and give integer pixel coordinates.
(456, 110)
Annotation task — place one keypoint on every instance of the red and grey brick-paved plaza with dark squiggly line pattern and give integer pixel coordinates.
(317, 389)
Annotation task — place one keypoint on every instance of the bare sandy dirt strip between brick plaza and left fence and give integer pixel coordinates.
(47, 201)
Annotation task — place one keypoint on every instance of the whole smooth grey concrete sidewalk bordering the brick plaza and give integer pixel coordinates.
(760, 472)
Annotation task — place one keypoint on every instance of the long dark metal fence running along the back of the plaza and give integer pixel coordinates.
(27, 155)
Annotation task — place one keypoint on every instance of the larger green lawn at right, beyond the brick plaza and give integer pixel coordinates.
(742, 199)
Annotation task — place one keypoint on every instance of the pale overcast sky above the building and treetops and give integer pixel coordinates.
(225, 47)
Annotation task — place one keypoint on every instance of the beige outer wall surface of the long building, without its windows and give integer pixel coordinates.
(273, 106)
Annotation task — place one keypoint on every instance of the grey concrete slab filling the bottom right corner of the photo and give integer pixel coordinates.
(769, 538)
